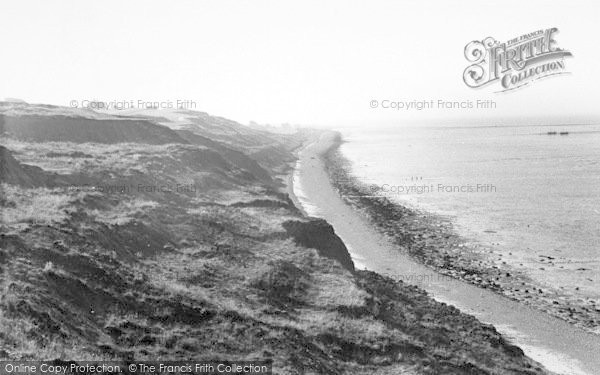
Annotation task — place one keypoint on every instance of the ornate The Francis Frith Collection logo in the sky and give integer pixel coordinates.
(515, 63)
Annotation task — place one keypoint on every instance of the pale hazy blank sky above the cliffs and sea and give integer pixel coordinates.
(317, 63)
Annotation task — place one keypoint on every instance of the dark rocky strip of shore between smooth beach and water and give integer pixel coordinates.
(433, 242)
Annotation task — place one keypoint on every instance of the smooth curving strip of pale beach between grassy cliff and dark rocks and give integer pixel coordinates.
(560, 346)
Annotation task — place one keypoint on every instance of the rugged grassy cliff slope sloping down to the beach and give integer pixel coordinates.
(149, 250)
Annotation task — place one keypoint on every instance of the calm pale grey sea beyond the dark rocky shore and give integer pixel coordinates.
(539, 194)
